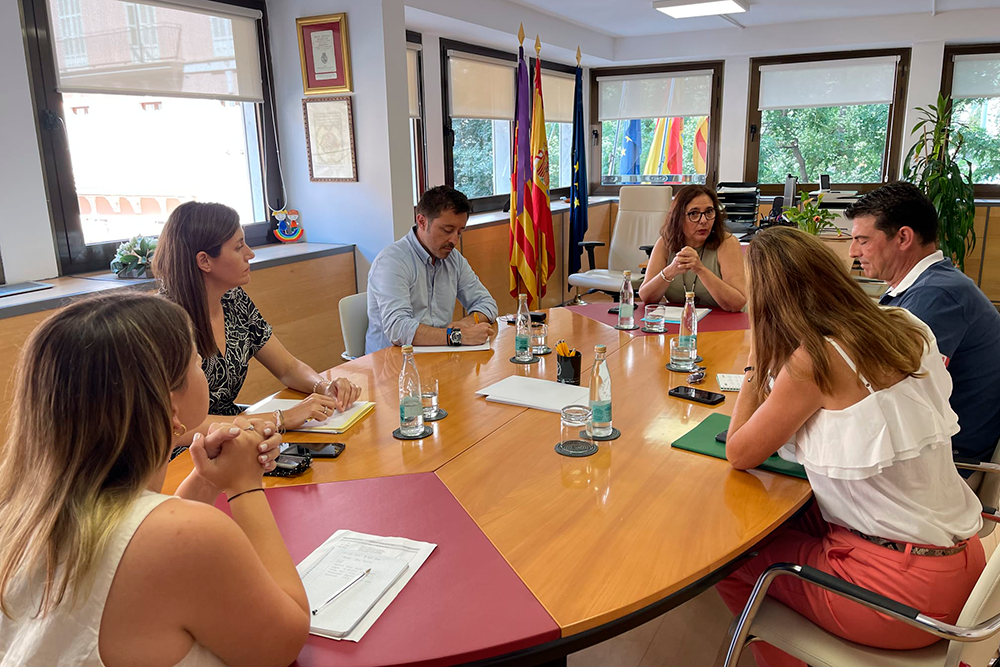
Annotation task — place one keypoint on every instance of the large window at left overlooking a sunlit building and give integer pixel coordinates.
(156, 116)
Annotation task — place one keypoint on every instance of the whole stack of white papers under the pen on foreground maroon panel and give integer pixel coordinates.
(392, 562)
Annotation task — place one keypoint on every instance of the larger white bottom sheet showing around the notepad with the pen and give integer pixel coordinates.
(413, 552)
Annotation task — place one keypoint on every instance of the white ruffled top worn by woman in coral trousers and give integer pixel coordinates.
(884, 467)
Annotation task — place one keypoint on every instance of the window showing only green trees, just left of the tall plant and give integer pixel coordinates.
(838, 114)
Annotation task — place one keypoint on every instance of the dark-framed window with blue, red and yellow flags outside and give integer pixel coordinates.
(656, 124)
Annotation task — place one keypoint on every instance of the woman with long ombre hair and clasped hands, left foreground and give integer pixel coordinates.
(99, 569)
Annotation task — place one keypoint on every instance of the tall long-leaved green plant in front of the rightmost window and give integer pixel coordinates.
(933, 166)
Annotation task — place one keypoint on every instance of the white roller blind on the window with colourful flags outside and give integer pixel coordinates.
(655, 95)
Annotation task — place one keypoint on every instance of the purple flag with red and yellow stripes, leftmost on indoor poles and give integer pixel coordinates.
(522, 228)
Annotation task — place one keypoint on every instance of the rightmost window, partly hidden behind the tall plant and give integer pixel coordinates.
(972, 77)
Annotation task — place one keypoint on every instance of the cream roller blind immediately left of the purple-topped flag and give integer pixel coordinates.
(481, 87)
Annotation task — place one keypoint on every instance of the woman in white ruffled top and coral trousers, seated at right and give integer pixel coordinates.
(863, 393)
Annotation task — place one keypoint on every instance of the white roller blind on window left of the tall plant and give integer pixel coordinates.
(828, 83)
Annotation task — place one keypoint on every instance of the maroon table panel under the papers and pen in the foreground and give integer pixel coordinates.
(465, 603)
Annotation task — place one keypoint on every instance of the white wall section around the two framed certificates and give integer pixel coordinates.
(376, 210)
